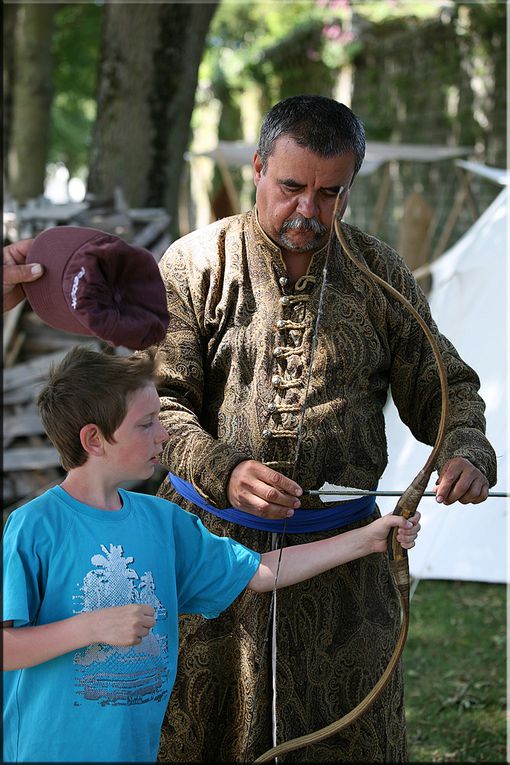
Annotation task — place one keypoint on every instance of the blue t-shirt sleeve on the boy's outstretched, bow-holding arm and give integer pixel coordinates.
(211, 571)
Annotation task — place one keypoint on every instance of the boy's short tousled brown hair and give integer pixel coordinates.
(90, 387)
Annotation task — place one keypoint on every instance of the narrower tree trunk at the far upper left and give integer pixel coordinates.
(31, 101)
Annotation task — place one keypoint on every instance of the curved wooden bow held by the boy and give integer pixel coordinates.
(406, 506)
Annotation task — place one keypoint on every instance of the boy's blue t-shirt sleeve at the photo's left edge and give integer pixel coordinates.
(21, 574)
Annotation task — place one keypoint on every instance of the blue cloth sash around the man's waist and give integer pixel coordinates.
(321, 519)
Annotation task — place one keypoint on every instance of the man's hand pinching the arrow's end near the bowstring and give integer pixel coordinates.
(256, 489)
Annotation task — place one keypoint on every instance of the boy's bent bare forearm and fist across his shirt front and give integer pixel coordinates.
(119, 625)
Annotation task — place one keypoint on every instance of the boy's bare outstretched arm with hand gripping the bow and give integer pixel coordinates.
(301, 562)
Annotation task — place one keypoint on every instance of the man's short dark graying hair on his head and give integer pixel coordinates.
(320, 124)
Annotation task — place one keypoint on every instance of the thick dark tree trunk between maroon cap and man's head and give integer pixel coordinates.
(147, 83)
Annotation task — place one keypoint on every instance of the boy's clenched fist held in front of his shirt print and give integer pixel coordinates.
(122, 625)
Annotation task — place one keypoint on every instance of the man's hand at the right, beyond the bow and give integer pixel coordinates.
(460, 481)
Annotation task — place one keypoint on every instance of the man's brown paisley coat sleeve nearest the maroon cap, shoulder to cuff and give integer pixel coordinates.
(191, 452)
